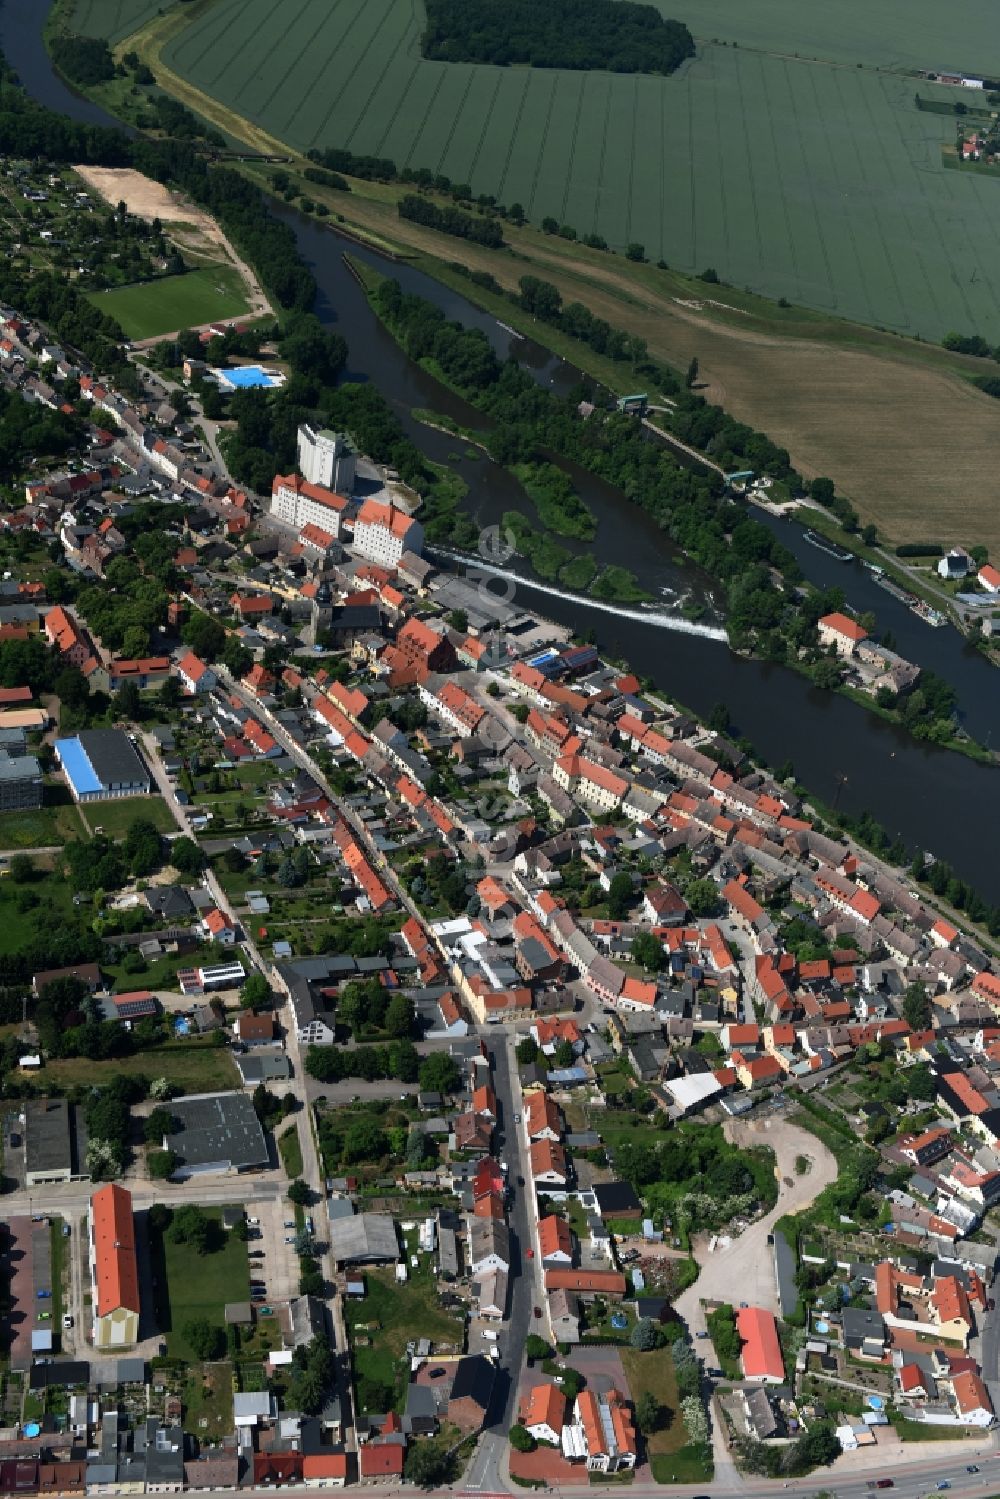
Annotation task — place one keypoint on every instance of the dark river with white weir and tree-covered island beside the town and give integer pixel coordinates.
(933, 800)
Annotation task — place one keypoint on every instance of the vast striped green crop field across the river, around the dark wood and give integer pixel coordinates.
(813, 182)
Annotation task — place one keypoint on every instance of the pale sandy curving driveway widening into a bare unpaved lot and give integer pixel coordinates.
(744, 1272)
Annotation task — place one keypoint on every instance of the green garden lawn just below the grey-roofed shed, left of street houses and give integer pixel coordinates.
(397, 1314)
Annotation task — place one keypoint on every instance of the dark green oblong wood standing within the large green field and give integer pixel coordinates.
(612, 37)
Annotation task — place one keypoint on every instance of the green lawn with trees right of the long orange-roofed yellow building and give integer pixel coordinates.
(193, 1285)
